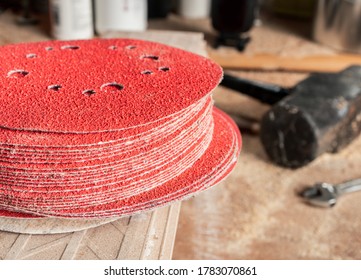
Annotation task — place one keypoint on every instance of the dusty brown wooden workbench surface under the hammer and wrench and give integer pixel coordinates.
(256, 213)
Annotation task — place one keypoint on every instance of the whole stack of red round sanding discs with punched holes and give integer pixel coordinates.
(108, 127)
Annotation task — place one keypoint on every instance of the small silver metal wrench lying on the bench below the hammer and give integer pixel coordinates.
(326, 195)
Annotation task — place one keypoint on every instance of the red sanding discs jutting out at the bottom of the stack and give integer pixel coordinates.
(215, 164)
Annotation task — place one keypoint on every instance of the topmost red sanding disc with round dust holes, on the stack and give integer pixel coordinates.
(98, 85)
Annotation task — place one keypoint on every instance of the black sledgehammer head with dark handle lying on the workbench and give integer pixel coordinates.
(318, 115)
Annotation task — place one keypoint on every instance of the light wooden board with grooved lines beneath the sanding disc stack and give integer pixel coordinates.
(144, 236)
